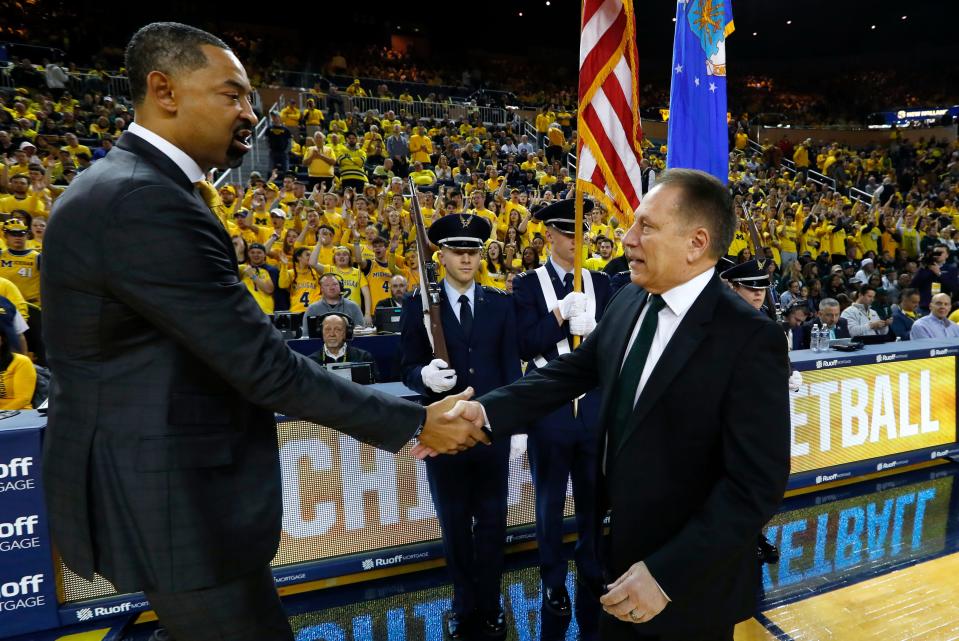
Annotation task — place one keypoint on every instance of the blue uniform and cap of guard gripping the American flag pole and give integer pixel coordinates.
(561, 445)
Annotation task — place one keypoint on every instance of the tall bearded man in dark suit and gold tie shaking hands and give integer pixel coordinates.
(160, 458)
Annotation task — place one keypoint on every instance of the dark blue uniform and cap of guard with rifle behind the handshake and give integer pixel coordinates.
(469, 490)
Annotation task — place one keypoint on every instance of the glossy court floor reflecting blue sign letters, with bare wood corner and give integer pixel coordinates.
(873, 560)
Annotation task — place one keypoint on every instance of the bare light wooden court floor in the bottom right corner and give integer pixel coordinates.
(919, 603)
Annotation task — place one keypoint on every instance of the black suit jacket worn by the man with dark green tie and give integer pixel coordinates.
(706, 457)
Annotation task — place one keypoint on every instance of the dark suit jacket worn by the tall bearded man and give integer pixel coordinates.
(160, 456)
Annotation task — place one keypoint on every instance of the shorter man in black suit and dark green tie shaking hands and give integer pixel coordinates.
(695, 445)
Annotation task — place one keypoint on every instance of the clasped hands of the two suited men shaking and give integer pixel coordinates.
(453, 424)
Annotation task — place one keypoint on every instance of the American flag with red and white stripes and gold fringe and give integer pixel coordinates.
(608, 122)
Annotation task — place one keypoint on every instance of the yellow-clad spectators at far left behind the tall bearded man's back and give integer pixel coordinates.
(47, 136)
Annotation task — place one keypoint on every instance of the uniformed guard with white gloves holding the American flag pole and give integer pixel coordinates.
(562, 444)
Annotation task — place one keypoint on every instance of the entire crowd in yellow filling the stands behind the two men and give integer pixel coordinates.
(335, 203)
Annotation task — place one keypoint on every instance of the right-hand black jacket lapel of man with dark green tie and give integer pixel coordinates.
(679, 350)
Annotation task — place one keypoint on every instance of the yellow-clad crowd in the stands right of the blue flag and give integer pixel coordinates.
(882, 246)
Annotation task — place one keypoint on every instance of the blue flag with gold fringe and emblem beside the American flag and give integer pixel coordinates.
(698, 137)
